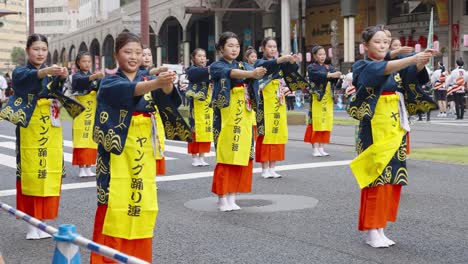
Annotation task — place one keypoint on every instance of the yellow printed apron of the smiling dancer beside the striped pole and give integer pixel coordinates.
(133, 205)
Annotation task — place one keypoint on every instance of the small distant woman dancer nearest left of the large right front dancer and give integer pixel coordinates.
(321, 103)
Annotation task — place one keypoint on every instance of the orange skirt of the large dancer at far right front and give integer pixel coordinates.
(378, 206)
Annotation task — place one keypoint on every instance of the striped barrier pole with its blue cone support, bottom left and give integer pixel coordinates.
(67, 234)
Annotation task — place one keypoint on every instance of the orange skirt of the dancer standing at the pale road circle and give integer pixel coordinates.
(229, 178)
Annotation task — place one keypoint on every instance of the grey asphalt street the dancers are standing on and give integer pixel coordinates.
(432, 225)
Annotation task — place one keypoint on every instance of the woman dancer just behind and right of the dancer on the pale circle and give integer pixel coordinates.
(271, 112)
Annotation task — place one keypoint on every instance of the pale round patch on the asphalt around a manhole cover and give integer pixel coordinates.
(262, 203)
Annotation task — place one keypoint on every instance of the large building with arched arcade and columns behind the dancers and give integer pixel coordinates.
(176, 27)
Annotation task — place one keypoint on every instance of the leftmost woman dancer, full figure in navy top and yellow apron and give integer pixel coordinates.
(34, 109)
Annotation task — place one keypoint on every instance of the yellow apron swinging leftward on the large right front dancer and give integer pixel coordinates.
(386, 135)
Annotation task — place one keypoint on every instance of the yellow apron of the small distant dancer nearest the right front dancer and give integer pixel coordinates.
(322, 111)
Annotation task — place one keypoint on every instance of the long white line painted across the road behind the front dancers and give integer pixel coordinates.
(198, 175)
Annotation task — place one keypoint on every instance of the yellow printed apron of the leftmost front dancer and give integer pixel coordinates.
(41, 150)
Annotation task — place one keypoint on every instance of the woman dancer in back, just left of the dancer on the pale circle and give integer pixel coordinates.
(198, 94)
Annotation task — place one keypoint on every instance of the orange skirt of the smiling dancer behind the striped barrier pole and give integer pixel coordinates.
(140, 248)
